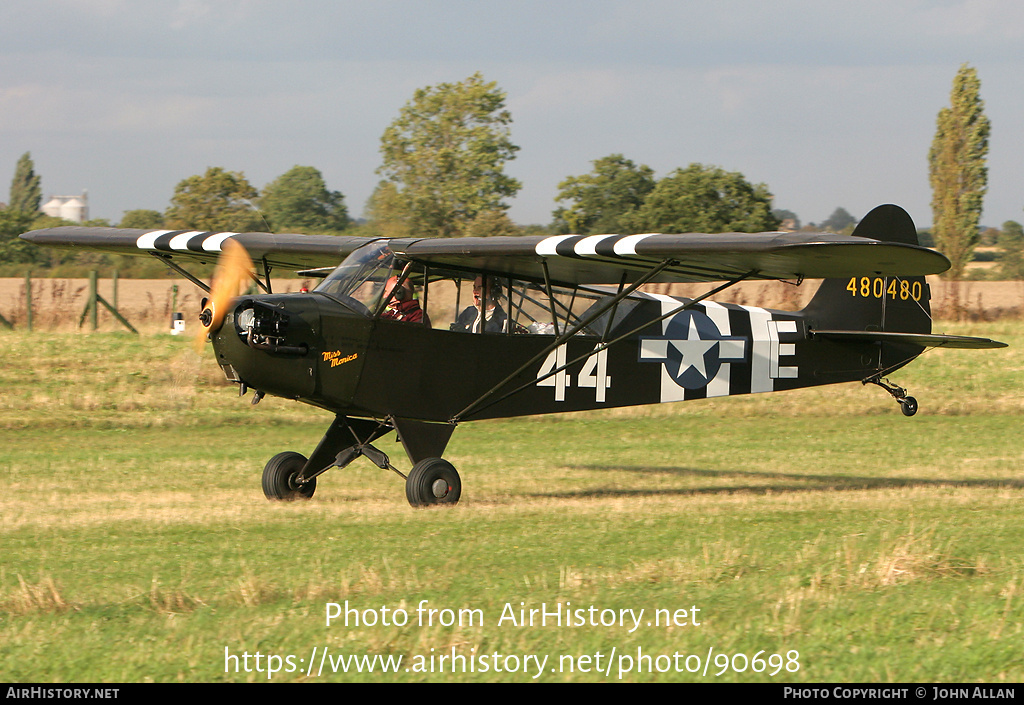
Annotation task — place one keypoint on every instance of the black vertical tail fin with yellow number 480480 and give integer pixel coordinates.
(876, 304)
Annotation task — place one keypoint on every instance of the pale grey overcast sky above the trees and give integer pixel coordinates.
(830, 104)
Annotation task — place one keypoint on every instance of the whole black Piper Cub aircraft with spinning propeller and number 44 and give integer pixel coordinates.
(540, 325)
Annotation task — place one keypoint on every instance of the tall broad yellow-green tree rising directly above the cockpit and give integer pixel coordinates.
(446, 153)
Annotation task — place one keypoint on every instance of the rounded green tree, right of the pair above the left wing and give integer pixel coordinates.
(298, 200)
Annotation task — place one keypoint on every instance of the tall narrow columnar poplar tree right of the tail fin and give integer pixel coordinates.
(958, 173)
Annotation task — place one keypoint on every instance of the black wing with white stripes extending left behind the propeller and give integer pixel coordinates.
(289, 252)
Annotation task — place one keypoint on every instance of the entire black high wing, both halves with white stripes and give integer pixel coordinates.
(570, 260)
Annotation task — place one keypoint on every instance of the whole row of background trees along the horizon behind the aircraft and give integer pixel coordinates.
(443, 175)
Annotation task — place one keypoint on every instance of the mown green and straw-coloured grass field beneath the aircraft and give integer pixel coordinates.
(820, 531)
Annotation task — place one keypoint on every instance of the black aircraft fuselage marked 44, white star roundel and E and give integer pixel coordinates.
(328, 356)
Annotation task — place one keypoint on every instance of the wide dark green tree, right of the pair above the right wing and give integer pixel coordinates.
(705, 199)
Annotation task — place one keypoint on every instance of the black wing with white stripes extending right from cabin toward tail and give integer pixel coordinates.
(695, 258)
